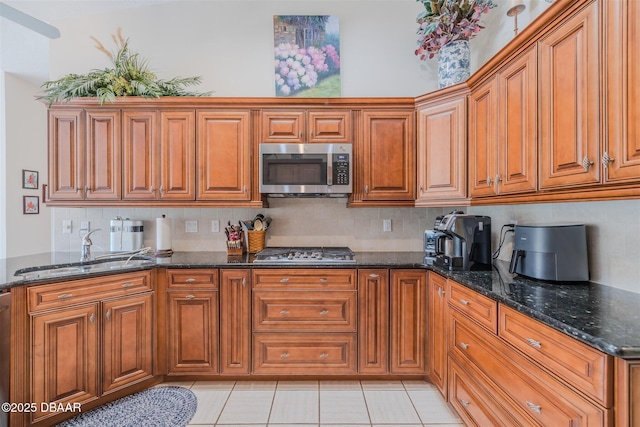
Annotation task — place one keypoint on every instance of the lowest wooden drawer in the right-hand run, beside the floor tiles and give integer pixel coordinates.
(475, 405)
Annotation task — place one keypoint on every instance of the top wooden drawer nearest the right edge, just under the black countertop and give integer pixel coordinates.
(584, 367)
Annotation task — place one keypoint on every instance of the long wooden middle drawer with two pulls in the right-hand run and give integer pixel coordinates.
(538, 396)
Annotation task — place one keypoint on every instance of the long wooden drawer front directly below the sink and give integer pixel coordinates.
(78, 291)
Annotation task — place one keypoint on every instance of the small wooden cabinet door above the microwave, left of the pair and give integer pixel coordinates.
(282, 126)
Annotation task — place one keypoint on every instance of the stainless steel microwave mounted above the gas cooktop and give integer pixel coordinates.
(313, 170)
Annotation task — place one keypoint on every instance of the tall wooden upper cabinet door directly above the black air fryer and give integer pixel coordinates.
(569, 102)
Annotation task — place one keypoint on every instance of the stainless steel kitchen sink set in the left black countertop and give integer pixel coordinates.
(54, 271)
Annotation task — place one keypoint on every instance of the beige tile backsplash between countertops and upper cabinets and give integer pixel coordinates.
(613, 228)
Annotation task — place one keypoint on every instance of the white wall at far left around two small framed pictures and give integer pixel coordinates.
(25, 133)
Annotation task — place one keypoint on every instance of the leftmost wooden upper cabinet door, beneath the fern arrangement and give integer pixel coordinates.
(66, 155)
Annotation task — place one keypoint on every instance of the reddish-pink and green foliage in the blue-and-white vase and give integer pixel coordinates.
(444, 21)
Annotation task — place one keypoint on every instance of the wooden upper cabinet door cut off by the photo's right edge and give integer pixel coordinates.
(621, 156)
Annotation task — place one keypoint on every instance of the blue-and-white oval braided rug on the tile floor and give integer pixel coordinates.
(169, 406)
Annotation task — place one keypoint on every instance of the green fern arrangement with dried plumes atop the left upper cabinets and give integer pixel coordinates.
(130, 76)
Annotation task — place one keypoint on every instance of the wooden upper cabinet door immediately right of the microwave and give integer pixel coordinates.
(388, 162)
